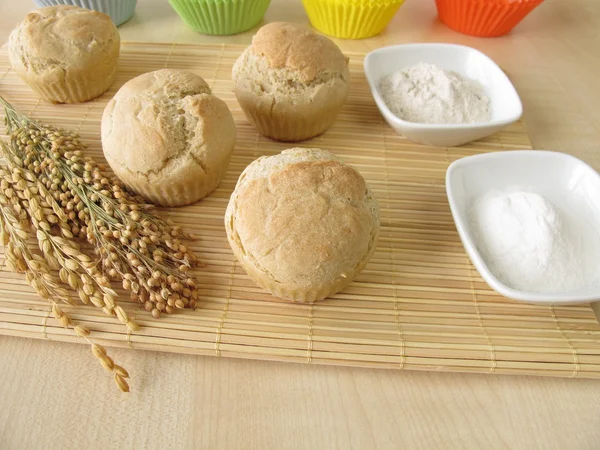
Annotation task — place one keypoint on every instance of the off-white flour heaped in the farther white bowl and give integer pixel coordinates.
(428, 94)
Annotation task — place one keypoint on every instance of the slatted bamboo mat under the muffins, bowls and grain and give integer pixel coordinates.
(419, 304)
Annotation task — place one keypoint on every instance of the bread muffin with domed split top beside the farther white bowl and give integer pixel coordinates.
(291, 82)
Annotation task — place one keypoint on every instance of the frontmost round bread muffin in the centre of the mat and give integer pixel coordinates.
(302, 223)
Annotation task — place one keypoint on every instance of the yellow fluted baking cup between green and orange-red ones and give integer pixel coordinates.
(351, 19)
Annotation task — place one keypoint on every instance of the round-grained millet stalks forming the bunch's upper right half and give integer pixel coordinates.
(137, 248)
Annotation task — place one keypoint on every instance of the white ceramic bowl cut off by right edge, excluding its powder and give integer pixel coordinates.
(569, 183)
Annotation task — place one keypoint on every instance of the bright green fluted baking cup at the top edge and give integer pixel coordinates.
(220, 17)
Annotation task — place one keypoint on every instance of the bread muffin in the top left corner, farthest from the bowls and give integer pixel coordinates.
(66, 54)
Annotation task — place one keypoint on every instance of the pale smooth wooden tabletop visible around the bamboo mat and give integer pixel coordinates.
(54, 395)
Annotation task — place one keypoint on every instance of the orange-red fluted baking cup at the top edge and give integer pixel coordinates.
(484, 18)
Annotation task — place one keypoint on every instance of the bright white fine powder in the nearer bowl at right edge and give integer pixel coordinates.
(530, 246)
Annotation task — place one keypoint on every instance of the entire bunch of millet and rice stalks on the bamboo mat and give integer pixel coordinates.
(51, 190)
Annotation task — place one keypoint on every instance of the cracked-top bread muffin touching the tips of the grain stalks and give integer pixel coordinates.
(167, 137)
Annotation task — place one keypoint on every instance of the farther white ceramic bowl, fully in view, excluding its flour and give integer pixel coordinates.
(470, 63)
